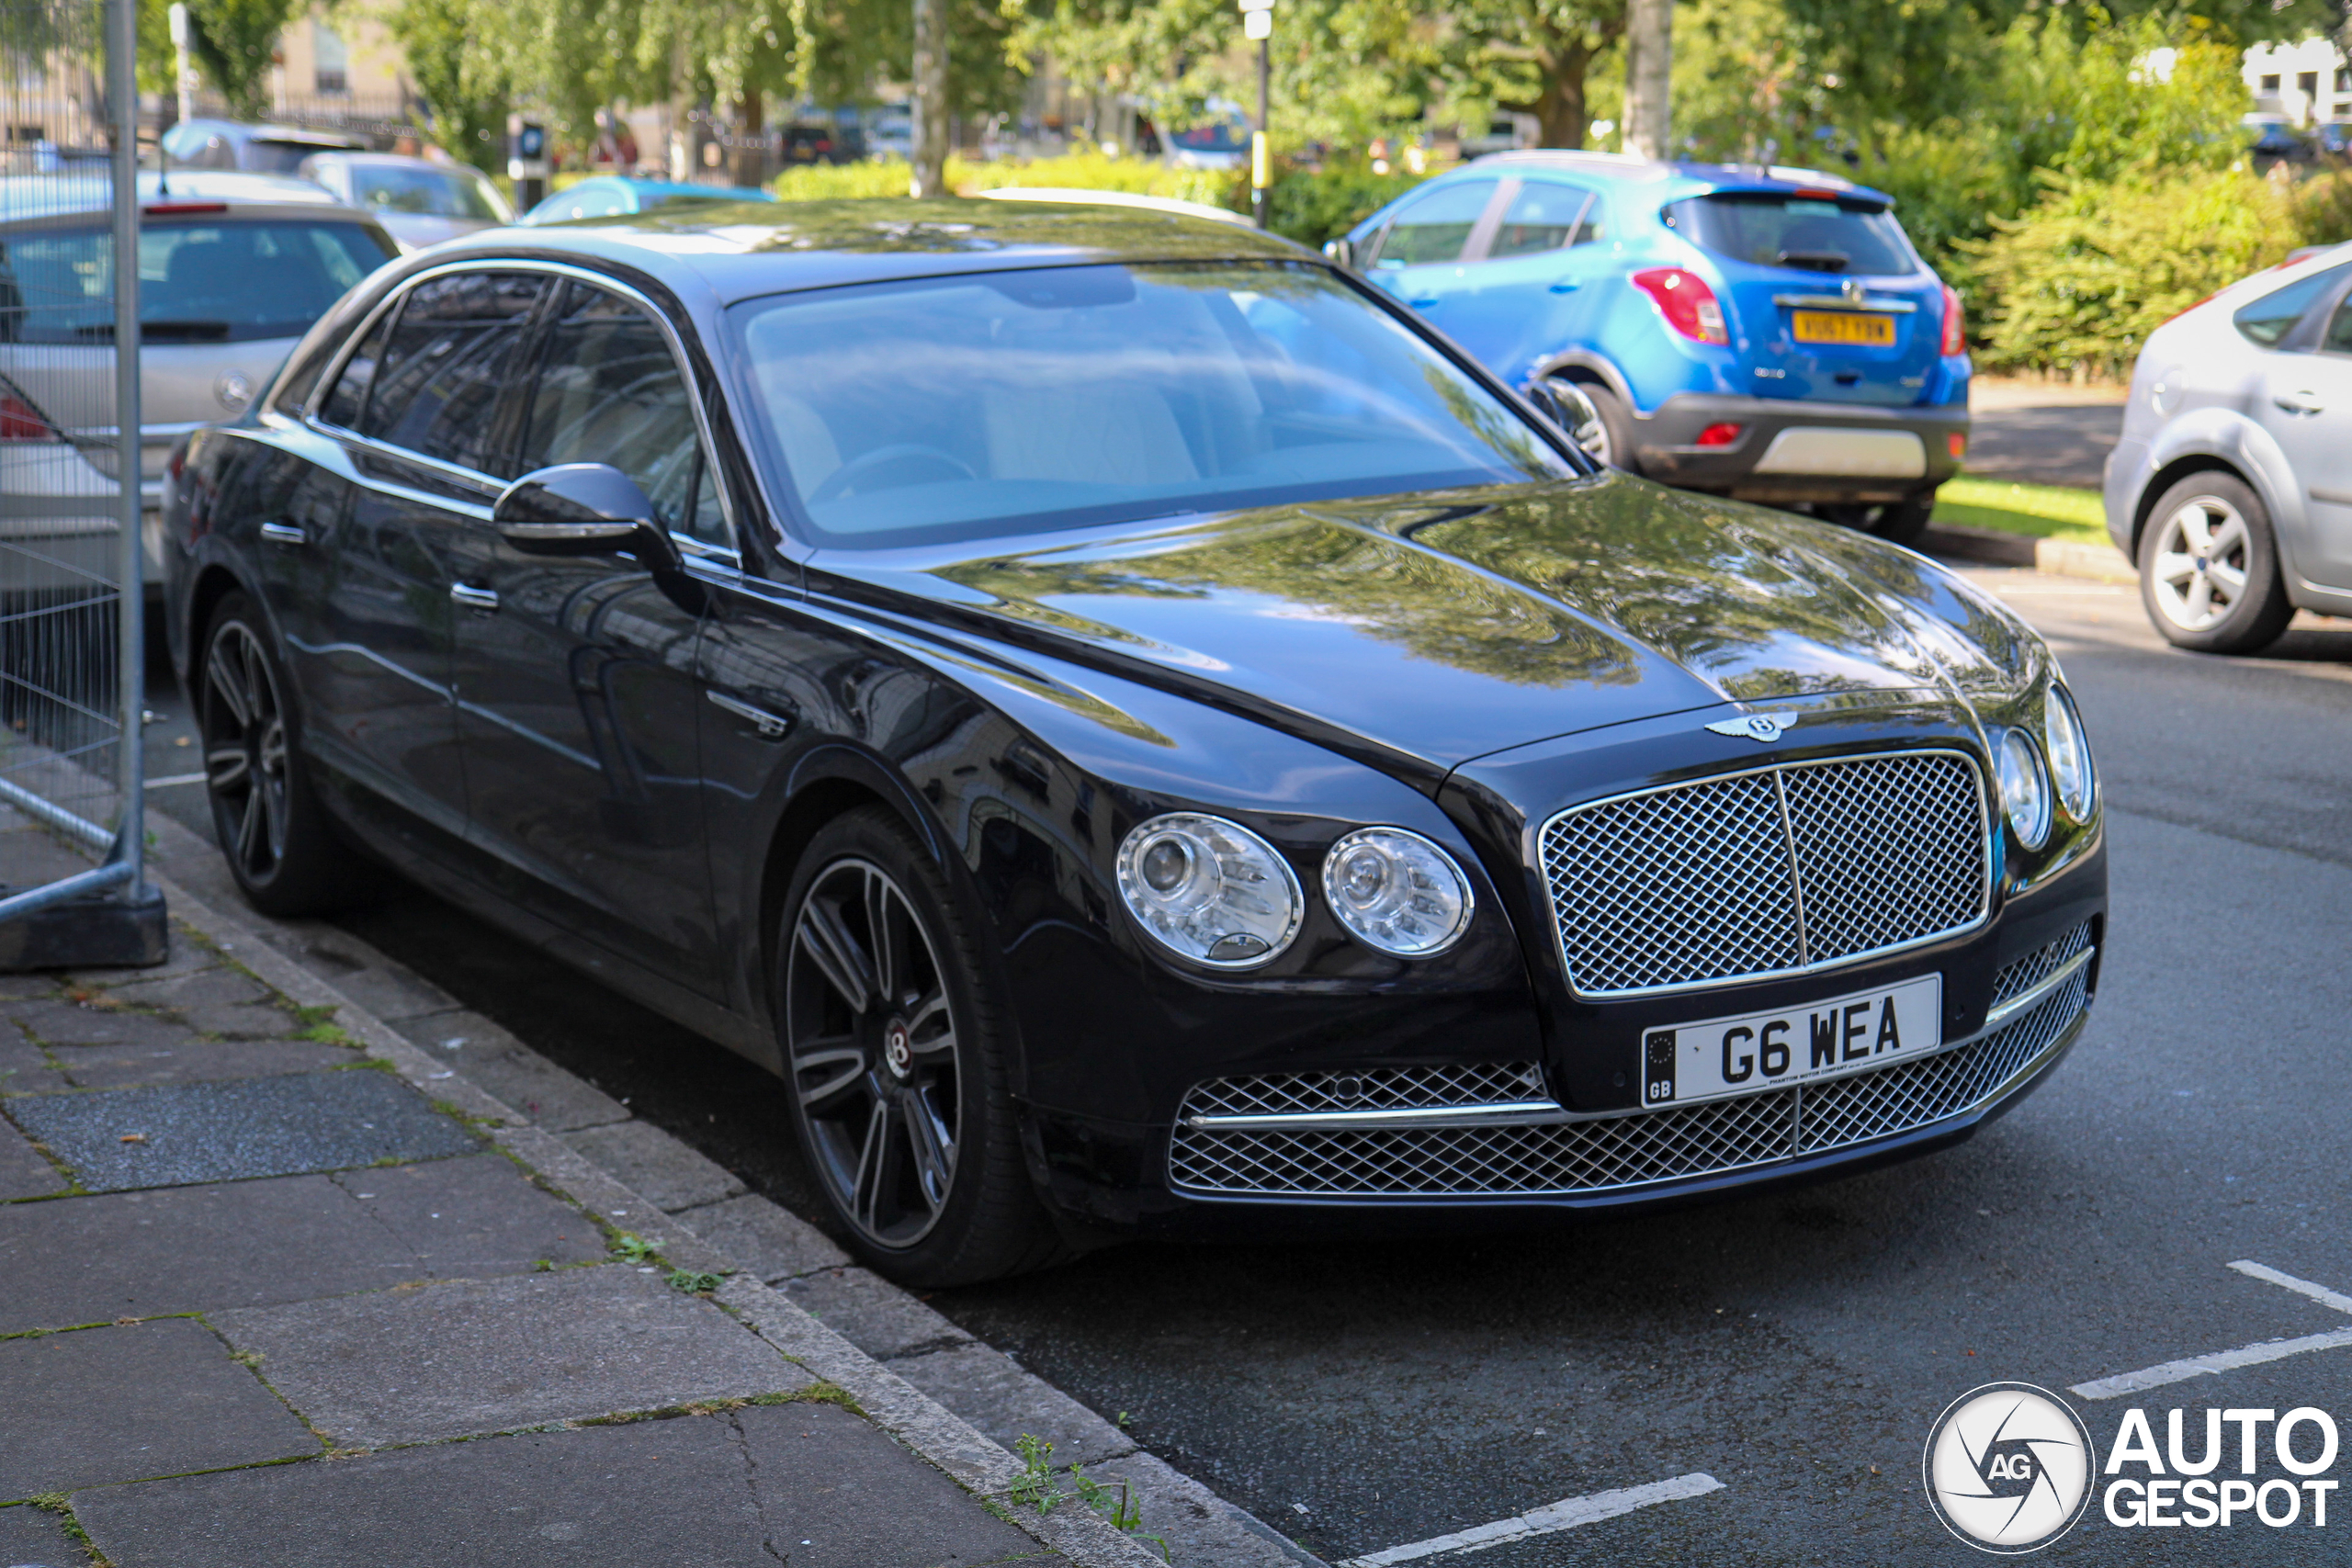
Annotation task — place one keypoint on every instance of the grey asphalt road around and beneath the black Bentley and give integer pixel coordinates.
(1796, 1348)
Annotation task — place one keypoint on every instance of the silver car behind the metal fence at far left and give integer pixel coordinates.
(232, 272)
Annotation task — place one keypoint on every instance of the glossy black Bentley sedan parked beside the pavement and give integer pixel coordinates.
(1137, 730)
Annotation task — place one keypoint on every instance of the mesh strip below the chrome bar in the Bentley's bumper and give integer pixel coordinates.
(1568, 1158)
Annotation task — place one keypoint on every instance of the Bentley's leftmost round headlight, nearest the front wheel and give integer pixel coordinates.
(1210, 890)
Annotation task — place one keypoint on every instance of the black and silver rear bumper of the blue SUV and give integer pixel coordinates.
(1800, 450)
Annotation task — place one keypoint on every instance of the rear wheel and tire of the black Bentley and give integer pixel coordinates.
(265, 810)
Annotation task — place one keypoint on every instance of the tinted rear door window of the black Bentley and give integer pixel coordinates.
(446, 363)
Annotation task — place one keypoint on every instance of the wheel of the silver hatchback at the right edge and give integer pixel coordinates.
(2210, 568)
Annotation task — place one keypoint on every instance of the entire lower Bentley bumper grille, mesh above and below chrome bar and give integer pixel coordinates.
(1603, 1153)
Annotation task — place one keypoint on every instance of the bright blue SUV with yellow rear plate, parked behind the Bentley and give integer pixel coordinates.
(1753, 333)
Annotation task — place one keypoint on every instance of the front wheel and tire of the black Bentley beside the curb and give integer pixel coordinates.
(897, 1064)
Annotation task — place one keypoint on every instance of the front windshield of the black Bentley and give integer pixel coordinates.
(1008, 403)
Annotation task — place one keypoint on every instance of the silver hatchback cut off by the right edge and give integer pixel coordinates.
(2233, 481)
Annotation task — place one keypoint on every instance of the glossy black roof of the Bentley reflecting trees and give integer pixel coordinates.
(744, 250)
